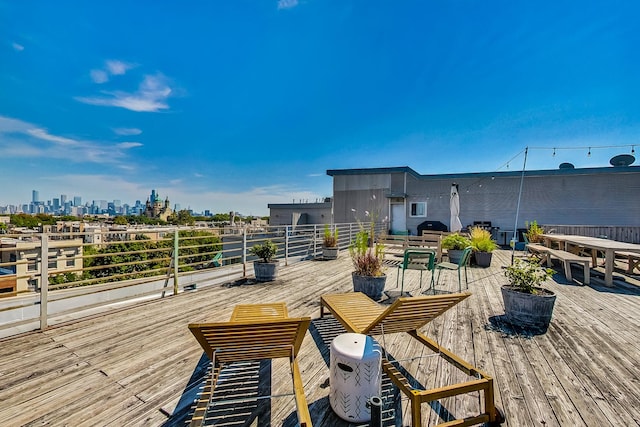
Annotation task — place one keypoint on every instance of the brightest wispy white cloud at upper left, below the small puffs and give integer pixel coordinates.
(151, 96)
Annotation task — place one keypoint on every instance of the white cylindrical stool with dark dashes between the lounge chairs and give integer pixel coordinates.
(355, 375)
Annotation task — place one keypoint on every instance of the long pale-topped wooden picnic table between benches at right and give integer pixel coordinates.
(608, 247)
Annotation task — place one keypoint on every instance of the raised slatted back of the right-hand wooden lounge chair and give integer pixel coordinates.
(412, 313)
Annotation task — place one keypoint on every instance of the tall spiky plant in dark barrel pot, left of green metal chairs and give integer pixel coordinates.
(368, 275)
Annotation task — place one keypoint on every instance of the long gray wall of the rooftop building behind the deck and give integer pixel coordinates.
(591, 196)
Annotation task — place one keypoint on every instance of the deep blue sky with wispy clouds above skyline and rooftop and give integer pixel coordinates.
(234, 105)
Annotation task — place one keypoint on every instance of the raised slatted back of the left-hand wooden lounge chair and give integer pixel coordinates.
(253, 340)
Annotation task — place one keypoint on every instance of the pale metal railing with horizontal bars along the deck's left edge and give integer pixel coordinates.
(49, 278)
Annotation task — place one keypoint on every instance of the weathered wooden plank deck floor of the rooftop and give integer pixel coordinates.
(141, 365)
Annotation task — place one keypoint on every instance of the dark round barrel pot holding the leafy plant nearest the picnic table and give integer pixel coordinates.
(528, 310)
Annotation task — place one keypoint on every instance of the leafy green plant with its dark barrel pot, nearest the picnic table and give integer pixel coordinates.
(525, 302)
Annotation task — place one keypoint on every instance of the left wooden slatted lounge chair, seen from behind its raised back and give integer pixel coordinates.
(255, 332)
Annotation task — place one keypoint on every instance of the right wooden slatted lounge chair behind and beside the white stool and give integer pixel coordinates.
(360, 314)
